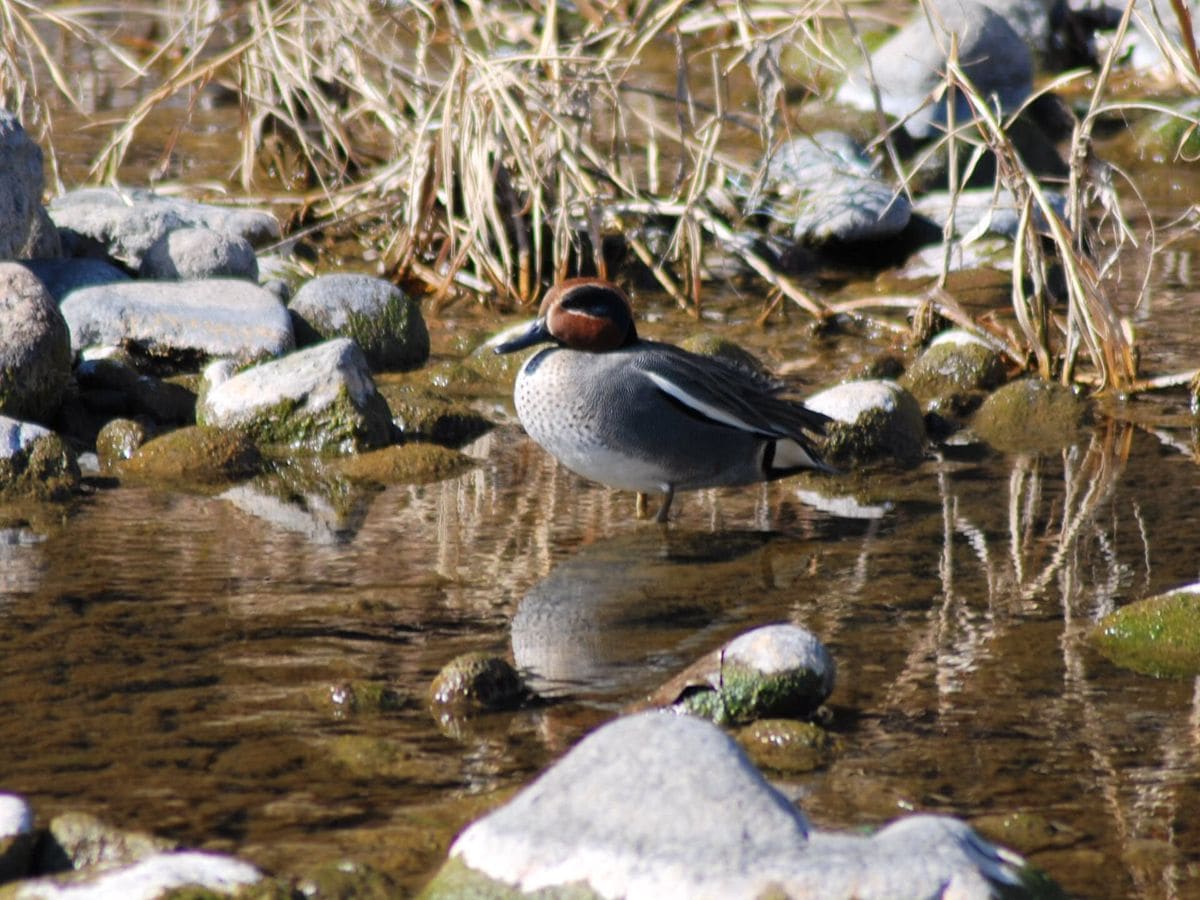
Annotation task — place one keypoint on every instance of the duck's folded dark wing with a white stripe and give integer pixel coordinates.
(727, 394)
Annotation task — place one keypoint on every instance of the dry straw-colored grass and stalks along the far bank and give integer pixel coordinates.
(487, 149)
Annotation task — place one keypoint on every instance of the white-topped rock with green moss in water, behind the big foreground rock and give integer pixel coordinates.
(770, 673)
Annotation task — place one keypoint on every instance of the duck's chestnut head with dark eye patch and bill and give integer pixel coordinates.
(583, 315)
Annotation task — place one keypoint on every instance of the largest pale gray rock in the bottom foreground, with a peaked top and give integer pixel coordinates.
(664, 806)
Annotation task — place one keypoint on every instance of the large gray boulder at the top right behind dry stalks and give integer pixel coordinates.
(907, 68)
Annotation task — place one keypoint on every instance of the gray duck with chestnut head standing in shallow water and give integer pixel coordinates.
(650, 417)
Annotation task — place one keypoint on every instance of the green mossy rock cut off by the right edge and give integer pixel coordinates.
(1159, 637)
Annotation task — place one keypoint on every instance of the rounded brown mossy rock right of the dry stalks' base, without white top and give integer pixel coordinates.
(1031, 415)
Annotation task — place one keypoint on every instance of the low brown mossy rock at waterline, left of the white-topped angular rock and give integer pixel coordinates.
(195, 455)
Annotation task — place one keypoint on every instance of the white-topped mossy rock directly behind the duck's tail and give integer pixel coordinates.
(874, 421)
